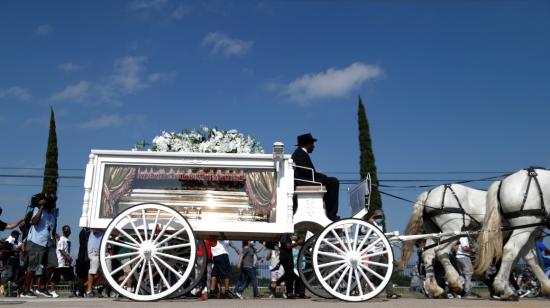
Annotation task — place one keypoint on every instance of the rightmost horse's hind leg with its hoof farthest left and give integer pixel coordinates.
(514, 246)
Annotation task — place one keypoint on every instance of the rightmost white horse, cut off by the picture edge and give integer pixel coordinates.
(520, 199)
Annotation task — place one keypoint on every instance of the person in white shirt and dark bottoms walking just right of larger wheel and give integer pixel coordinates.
(222, 267)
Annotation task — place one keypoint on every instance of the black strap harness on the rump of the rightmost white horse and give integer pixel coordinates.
(541, 212)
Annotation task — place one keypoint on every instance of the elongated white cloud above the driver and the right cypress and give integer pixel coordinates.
(332, 83)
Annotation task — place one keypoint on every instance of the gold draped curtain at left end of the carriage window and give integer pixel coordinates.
(117, 181)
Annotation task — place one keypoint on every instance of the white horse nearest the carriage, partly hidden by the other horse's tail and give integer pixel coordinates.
(439, 210)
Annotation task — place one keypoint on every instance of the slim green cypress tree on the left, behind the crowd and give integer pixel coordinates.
(51, 173)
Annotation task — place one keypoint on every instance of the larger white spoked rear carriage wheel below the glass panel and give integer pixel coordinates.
(160, 251)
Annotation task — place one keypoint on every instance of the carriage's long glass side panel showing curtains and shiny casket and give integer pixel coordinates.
(225, 193)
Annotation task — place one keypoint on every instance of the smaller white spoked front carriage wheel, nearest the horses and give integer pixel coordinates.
(353, 260)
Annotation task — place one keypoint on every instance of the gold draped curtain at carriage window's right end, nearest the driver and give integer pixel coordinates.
(260, 187)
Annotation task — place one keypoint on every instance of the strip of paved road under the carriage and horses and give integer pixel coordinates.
(267, 303)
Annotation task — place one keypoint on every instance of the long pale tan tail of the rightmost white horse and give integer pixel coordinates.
(490, 237)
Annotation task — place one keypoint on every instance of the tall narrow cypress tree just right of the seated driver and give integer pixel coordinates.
(367, 161)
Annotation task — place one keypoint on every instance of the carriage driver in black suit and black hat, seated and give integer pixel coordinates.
(306, 145)
